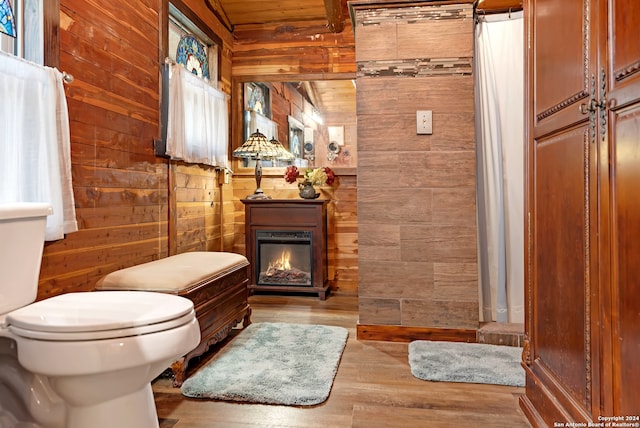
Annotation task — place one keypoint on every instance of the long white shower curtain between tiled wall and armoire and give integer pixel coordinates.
(500, 136)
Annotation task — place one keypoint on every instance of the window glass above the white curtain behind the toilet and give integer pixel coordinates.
(28, 40)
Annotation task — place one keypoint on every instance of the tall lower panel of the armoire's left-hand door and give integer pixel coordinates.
(561, 267)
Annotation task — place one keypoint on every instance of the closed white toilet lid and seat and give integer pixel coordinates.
(99, 314)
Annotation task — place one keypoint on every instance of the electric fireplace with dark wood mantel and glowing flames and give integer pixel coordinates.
(286, 245)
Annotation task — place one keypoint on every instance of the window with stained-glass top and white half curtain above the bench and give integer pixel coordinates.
(194, 111)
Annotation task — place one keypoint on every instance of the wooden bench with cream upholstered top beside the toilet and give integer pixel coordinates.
(216, 283)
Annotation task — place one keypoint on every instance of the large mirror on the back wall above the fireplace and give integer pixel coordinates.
(314, 120)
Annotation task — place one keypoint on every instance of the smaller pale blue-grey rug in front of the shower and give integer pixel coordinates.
(466, 362)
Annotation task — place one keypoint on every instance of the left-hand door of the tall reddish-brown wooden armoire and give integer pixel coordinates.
(561, 349)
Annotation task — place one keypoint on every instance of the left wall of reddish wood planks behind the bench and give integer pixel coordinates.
(125, 196)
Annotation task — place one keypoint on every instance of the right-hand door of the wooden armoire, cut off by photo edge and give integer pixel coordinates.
(623, 101)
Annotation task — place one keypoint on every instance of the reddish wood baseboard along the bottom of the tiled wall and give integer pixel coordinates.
(398, 333)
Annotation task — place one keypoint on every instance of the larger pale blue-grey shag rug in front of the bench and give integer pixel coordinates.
(273, 363)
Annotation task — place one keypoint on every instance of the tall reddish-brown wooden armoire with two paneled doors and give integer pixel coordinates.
(582, 328)
